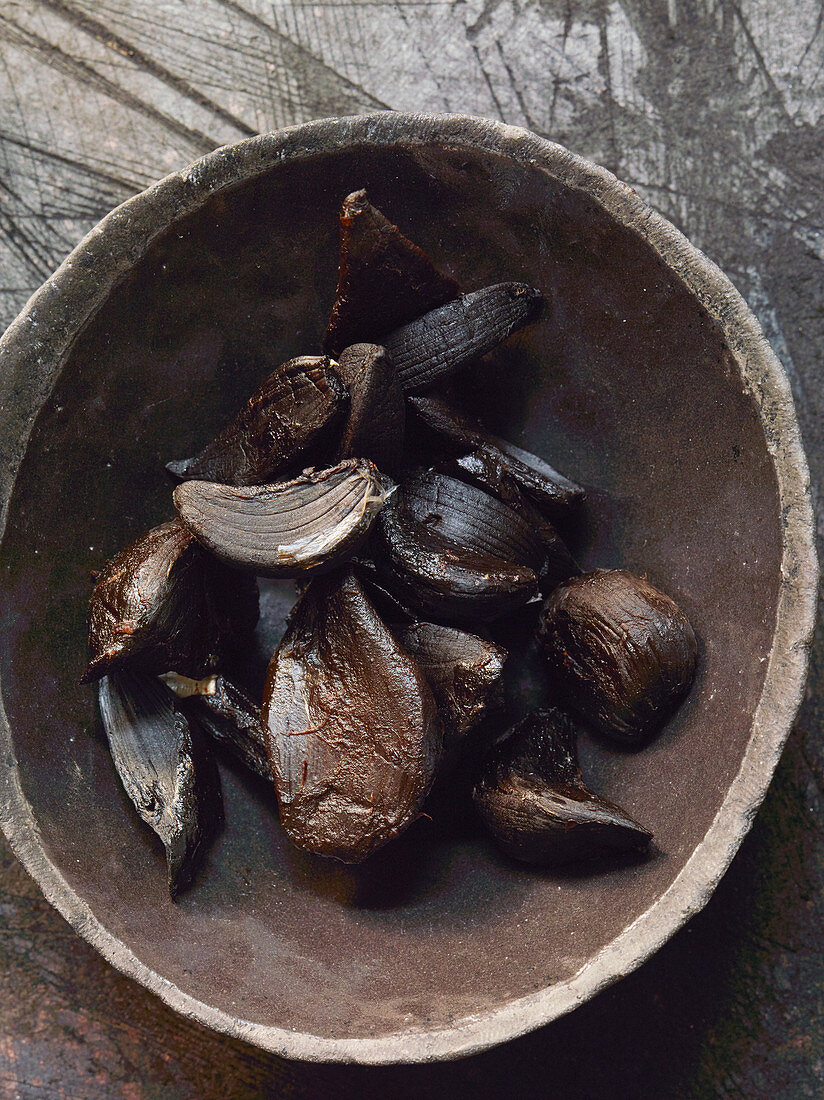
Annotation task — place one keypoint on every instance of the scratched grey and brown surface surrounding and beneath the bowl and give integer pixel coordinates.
(711, 109)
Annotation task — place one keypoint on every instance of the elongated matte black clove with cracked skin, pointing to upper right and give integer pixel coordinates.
(438, 344)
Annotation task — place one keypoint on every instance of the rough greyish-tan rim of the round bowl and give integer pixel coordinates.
(34, 351)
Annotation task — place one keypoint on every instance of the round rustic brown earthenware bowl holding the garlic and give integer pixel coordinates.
(650, 381)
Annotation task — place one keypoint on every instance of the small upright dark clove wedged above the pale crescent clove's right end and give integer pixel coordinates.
(377, 420)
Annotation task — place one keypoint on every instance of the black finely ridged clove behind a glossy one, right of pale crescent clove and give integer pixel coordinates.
(470, 519)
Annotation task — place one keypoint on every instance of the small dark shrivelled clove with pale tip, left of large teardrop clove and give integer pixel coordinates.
(228, 714)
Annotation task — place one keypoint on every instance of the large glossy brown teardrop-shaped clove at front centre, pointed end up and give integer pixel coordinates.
(354, 730)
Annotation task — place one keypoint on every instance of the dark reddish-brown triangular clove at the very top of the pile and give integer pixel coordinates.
(384, 280)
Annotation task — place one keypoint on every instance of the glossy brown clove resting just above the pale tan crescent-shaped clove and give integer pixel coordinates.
(287, 417)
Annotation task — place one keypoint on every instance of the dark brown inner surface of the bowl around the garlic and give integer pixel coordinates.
(628, 386)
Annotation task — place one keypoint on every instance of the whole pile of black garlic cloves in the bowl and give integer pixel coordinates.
(411, 531)
